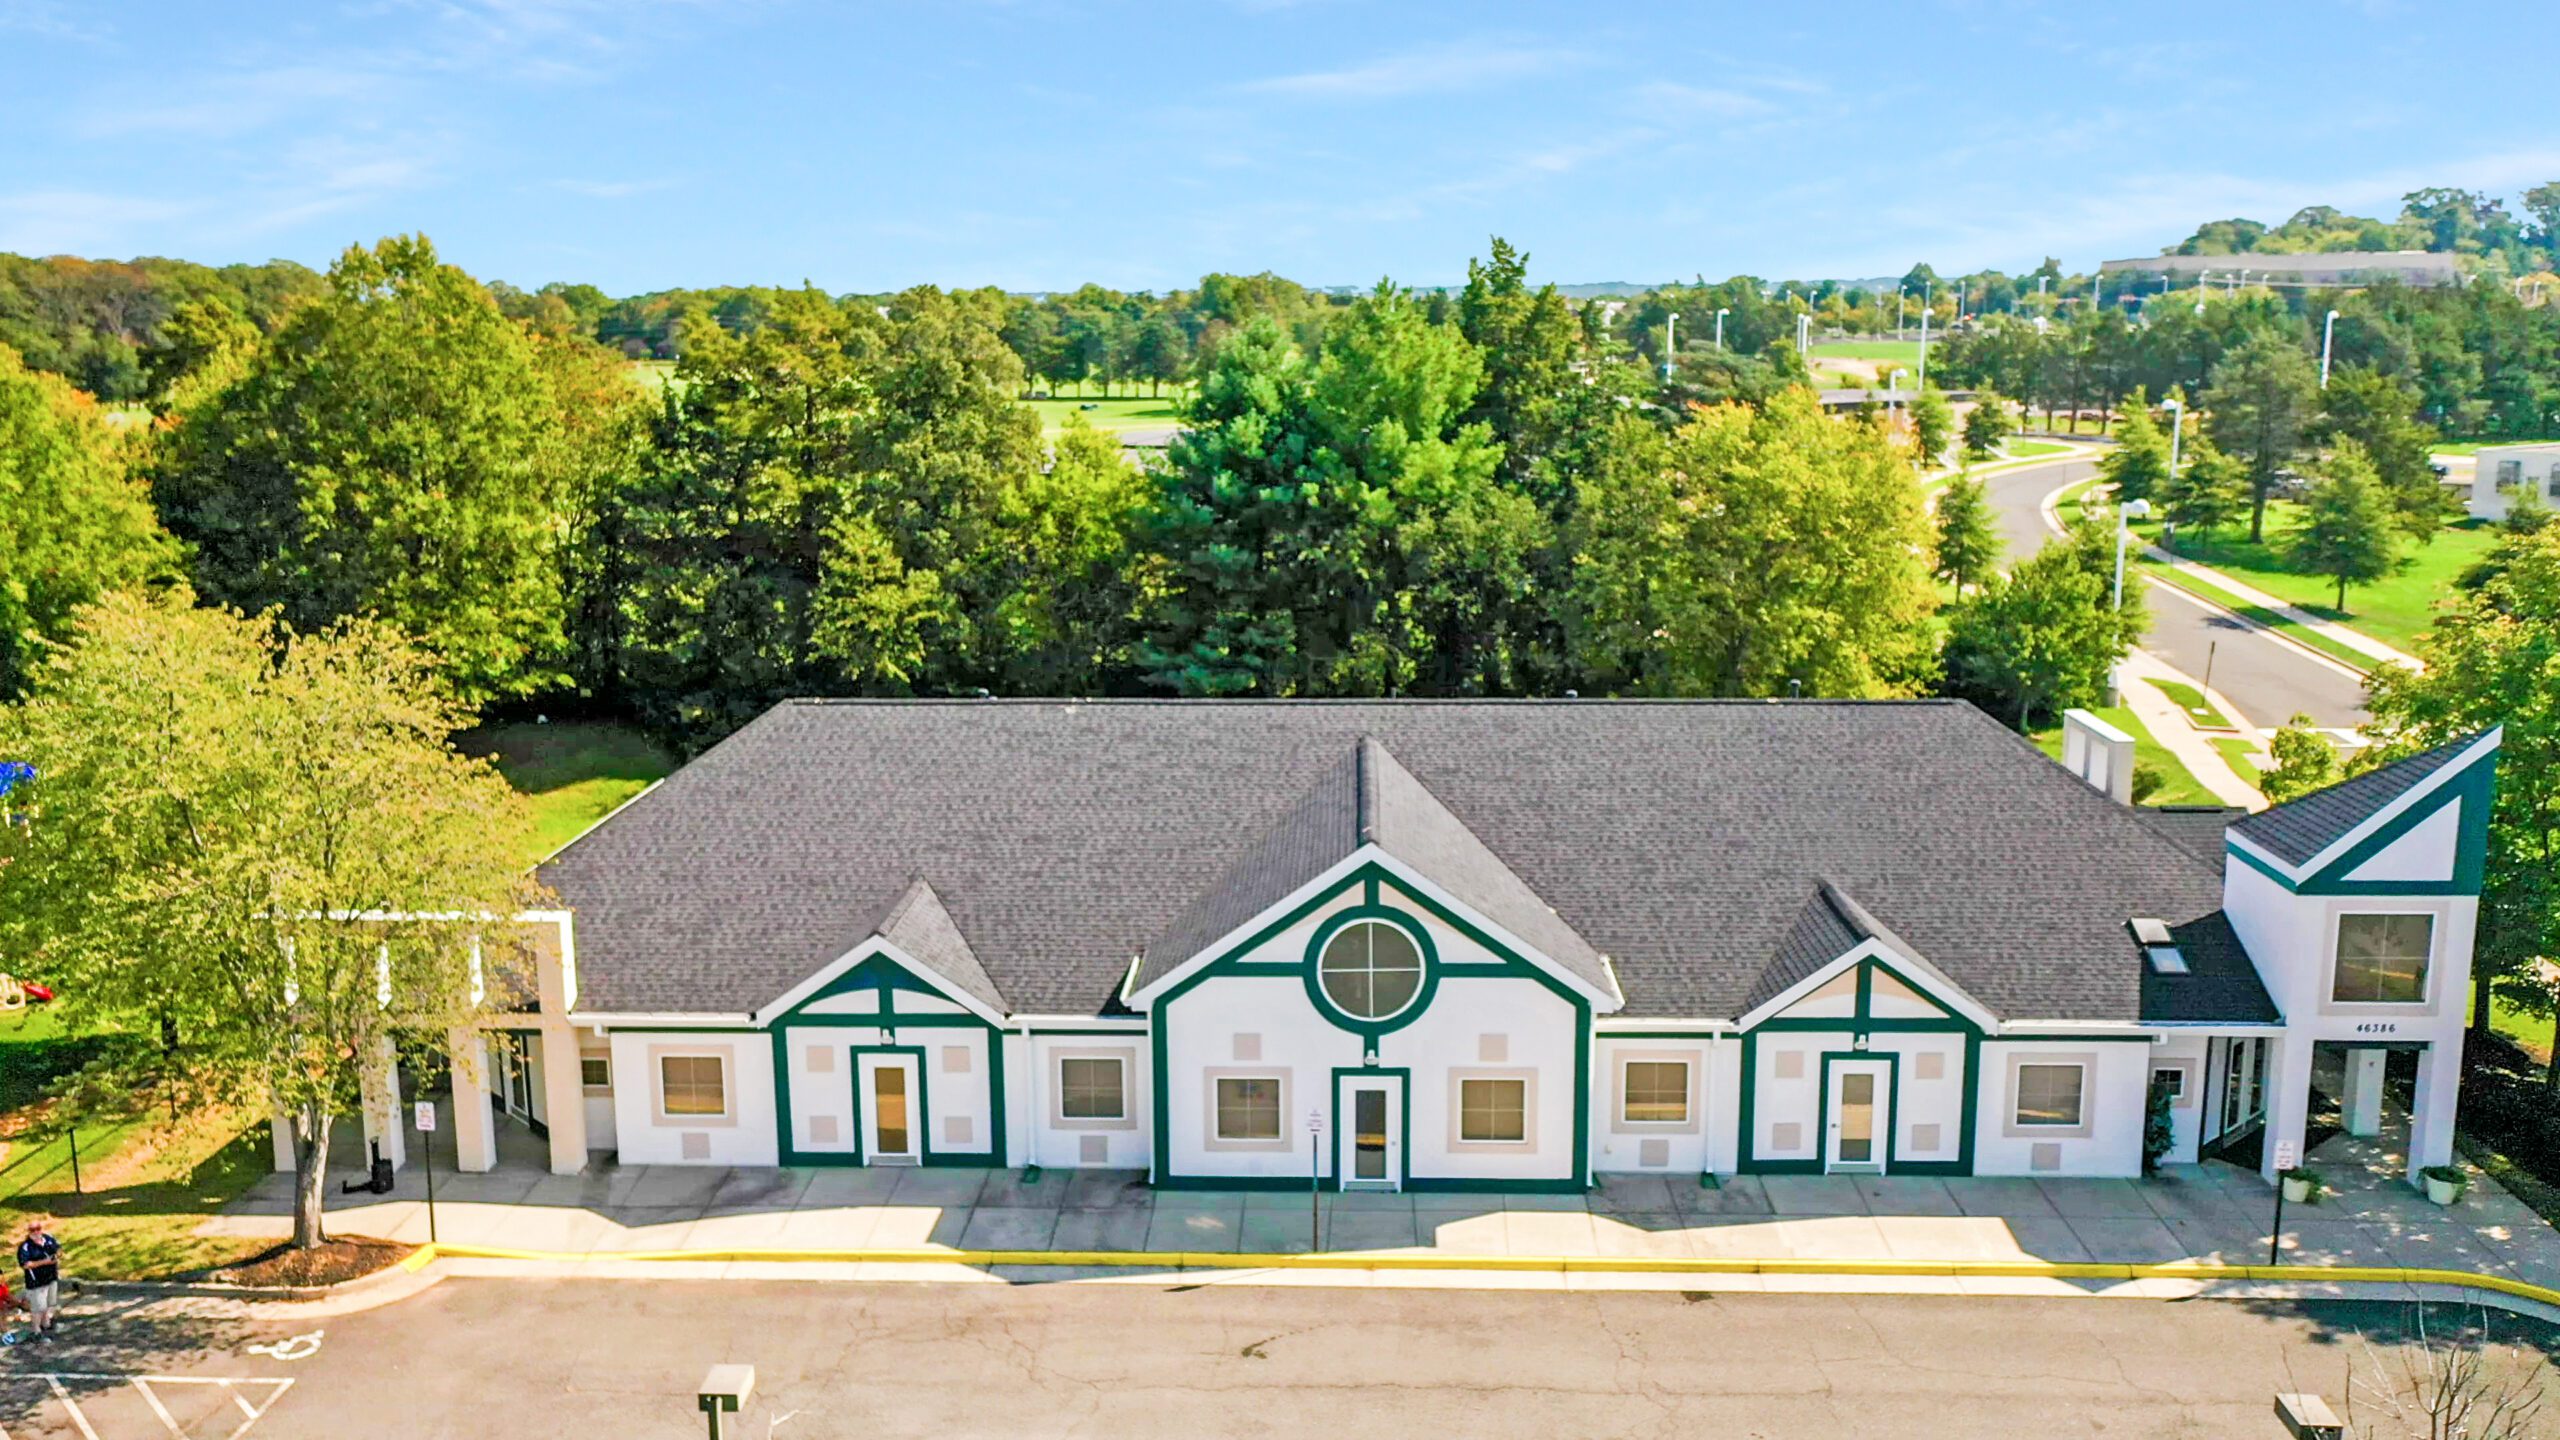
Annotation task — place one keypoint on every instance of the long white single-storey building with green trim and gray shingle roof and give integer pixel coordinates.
(1486, 947)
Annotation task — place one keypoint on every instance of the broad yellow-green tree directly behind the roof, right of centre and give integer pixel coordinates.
(1750, 550)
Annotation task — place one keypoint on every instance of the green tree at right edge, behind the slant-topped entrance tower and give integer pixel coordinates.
(2495, 660)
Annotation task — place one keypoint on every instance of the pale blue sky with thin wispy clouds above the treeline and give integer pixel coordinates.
(1046, 142)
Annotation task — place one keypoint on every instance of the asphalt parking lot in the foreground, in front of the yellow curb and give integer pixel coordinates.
(500, 1357)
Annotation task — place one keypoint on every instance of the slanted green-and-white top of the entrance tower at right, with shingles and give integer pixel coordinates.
(2418, 826)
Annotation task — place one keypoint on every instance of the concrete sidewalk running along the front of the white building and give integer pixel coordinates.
(2193, 1213)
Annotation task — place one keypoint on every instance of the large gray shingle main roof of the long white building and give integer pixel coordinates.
(1681, 839)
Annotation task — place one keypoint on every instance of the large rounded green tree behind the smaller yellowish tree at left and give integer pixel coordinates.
(390, 450)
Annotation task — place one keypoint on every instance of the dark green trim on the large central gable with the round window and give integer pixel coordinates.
(1376, 890)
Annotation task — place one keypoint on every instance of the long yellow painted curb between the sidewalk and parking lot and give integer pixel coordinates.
(1524, 1264)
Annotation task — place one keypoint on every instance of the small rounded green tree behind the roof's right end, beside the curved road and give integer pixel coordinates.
(2036, 642)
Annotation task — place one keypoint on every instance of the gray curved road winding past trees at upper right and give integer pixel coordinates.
(2267, 678)
